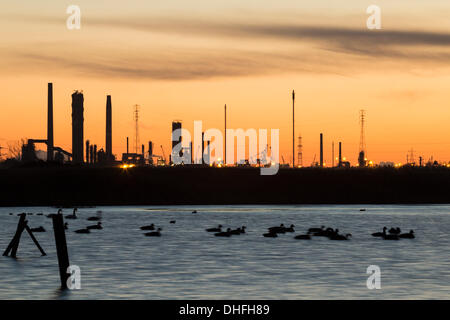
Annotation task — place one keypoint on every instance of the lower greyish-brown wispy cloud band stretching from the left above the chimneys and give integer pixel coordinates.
(179, 64)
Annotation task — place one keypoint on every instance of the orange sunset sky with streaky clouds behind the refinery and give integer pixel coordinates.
(185, 59)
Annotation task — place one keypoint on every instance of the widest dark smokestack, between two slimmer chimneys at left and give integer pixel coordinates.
(77, 127)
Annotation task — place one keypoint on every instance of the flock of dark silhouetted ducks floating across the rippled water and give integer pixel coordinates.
(273, 232)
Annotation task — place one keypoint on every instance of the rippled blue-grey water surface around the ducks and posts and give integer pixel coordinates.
(119, 262)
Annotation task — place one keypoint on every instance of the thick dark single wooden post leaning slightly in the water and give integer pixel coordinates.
(61, 248)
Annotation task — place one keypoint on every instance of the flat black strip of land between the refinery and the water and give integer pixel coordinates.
(78, 186)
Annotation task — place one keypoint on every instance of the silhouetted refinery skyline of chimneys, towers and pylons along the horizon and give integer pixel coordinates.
(86, 152)
